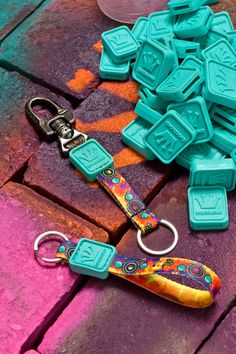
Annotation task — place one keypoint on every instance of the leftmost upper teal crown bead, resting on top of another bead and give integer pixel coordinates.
(120, 44)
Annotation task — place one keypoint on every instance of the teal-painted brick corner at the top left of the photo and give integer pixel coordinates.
(12, 12)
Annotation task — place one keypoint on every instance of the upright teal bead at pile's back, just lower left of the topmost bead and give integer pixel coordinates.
(160, 24)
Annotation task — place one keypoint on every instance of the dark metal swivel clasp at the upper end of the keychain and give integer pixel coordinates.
(59, 124)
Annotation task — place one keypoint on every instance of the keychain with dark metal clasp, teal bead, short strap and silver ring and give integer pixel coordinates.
(95, 163)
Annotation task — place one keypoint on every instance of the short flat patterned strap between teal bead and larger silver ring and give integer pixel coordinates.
(128, 200)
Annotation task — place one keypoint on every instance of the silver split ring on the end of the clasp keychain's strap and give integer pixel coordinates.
(167, 250)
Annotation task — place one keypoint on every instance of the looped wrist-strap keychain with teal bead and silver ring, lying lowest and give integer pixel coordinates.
(93, 258)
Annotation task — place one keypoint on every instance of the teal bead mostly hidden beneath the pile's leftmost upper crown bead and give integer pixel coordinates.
(112, 71)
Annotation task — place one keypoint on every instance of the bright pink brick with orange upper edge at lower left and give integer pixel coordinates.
(32, 295)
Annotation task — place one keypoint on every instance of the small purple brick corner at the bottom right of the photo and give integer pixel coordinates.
(224, 338)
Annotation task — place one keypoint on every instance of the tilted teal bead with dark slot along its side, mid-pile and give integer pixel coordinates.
(180, 84)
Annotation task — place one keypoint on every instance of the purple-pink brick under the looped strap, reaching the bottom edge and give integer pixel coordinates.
(122, 318)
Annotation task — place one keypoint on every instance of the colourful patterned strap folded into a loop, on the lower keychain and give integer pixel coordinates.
(148, 274)
